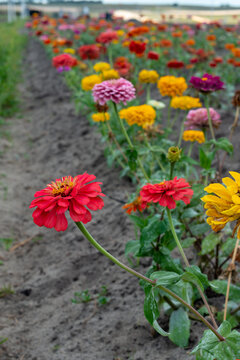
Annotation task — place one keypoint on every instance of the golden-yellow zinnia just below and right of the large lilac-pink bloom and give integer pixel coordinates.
(142, 115)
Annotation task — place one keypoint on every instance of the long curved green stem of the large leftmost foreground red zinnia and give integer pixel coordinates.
(89, 237)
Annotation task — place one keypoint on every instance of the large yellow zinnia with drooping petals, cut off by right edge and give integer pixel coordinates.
(224, 206)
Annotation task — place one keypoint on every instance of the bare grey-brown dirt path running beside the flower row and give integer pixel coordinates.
(39, 320)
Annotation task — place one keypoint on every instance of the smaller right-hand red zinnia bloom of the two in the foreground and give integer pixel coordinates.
(167, 193)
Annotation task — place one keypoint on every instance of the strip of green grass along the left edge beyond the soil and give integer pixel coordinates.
(12, 43)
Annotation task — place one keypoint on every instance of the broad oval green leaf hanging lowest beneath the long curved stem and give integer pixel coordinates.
(179, 327)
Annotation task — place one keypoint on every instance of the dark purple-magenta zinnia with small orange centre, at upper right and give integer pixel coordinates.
(206, 84)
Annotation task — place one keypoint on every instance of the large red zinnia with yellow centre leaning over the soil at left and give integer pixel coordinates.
(68, 193)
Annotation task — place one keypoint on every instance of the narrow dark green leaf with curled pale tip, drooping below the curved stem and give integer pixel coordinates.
(151, 311)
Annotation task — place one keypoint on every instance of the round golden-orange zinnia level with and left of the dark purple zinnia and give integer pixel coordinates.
(172, 86)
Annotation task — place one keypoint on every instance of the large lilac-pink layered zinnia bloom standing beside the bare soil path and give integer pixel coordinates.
(115, 90)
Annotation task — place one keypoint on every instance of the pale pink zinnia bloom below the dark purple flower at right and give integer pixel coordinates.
(199, 118)
